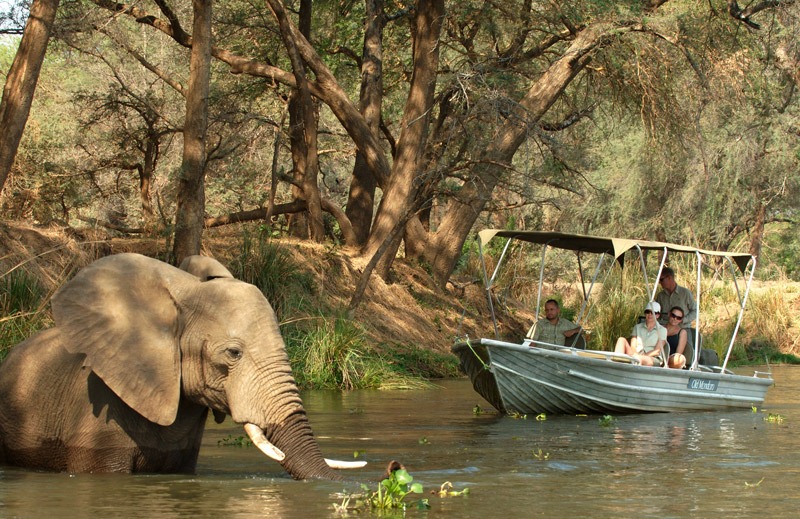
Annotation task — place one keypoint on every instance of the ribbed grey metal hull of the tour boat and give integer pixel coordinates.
(532, 380)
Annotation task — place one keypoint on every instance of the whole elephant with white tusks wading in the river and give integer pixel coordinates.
(139, 354)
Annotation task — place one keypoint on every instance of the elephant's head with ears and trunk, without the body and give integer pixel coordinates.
(167, 341)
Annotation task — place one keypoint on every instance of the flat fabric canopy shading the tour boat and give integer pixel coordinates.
(616, 247)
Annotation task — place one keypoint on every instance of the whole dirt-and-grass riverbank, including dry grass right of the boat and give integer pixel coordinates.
(402, 331)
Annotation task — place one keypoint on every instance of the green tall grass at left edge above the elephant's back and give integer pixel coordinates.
(22, 308)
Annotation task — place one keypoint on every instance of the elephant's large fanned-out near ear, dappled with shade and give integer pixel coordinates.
(122, 313)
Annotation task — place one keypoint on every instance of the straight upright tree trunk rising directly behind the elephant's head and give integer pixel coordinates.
(191, 185)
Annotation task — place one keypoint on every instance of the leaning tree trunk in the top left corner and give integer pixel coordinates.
(21, 81)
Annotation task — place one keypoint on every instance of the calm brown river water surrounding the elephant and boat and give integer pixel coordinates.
(713, 464)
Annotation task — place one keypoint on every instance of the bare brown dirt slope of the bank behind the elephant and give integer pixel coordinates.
(405, 312)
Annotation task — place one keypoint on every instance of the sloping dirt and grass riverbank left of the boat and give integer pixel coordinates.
(406, 325)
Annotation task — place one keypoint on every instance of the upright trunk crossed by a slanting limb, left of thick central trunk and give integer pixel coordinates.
(361, 199)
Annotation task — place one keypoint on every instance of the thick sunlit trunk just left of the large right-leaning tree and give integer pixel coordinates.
(407, 171)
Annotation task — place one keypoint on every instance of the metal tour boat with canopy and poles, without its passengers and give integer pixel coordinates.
(534, 377)
